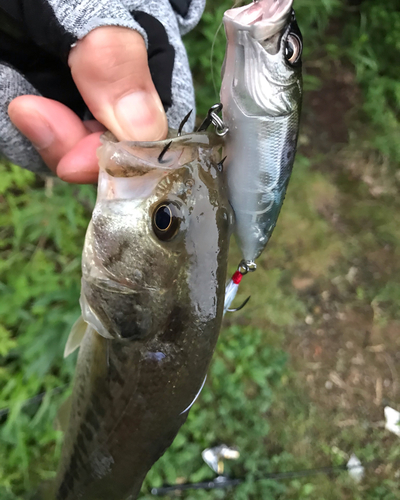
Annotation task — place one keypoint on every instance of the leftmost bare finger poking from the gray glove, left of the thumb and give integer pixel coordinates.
(52, 128)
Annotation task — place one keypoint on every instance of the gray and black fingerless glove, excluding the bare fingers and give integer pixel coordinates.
(46, 29)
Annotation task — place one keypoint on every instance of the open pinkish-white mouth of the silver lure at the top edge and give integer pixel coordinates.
(263, 18)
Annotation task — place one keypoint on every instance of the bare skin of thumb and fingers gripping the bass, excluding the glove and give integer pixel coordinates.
(110, 69)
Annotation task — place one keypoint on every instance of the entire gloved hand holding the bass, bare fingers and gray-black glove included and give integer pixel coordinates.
(52, 92)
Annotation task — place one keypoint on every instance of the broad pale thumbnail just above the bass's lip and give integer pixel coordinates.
(142, 117)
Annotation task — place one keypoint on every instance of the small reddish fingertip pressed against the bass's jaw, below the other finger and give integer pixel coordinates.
(80, 164)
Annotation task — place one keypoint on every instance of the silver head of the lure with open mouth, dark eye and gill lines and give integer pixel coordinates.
(263, 67)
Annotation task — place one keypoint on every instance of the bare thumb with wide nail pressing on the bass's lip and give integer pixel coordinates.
(110, 69)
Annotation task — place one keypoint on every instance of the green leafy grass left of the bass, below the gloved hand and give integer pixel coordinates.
(41, 241)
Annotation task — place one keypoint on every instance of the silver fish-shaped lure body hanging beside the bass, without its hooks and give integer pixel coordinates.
(261, 94)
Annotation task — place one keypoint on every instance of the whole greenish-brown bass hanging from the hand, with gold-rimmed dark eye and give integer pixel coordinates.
(153, 283)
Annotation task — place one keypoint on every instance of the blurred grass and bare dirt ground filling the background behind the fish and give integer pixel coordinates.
(333, 260)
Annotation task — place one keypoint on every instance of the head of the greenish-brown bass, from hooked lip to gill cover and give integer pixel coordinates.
(156, 244)
